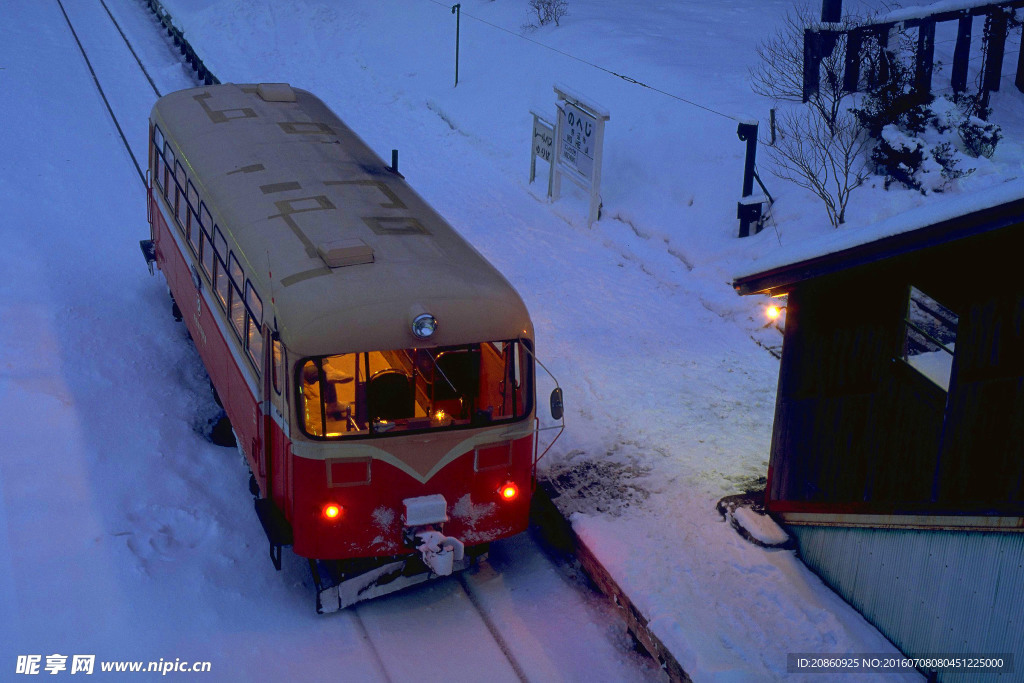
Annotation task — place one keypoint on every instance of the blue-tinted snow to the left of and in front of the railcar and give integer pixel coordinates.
(124, 535)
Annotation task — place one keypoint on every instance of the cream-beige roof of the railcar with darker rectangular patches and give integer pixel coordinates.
(342, 250)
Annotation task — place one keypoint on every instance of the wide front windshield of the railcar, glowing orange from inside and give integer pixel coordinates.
(390, 393)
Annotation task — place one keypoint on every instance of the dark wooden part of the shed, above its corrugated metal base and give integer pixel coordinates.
(901, 397)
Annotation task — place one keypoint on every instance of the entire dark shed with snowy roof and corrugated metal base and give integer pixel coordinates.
(898, 456)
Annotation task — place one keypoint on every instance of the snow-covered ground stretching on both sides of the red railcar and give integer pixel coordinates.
(108, 517)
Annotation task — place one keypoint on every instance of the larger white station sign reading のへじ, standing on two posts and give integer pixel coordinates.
(580, 141)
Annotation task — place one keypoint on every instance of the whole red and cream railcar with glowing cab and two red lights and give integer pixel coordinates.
(378, 372)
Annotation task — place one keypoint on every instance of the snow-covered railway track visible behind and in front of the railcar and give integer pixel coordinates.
(502, 615)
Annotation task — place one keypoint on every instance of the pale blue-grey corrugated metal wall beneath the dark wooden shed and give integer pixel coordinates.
(930, 592)
